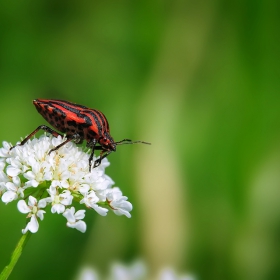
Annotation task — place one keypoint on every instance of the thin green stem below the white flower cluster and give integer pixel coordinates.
(15, 256)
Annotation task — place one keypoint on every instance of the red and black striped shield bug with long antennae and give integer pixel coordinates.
(79, 123)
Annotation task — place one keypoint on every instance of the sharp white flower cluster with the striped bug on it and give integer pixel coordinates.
(38, 179)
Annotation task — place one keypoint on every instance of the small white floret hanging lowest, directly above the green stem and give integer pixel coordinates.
(34, 211)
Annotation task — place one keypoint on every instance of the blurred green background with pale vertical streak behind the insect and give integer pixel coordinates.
(201, 81)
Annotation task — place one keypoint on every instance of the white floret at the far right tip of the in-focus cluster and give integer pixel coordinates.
(118, 202)
